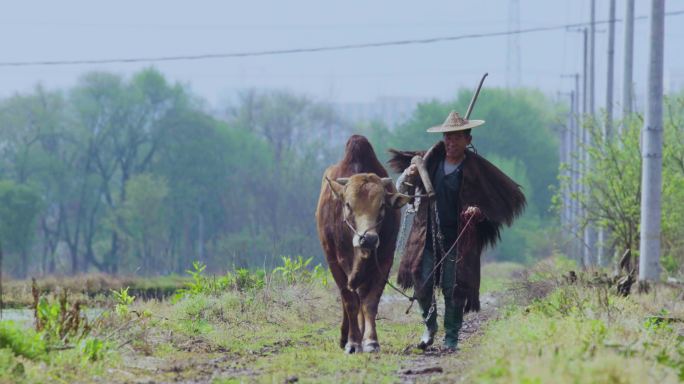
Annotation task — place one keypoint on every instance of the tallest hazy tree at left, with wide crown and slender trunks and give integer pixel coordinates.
(122, 123)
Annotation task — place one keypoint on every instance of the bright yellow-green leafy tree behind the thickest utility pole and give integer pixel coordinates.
(614, 183)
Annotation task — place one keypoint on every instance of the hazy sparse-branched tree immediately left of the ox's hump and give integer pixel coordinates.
(303, 137)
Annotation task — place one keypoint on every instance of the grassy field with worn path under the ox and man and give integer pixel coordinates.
(252, 326)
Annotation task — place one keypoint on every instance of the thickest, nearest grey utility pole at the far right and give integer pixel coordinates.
(652, 160)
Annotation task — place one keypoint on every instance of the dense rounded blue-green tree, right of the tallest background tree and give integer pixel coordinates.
(211, 171)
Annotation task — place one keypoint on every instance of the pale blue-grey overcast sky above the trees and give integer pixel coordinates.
(72, 30)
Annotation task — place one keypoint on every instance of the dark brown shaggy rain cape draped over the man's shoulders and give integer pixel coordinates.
(499, 198)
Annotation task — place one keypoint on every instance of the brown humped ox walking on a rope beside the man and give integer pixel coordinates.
(358, 222)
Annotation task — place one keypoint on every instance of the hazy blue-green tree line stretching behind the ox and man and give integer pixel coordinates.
(135, 176)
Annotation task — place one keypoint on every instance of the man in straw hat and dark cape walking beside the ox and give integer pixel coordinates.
(472, 200)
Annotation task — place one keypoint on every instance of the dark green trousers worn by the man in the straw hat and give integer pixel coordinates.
(453, 312)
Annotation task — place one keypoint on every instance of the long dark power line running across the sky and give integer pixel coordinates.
(308, 50)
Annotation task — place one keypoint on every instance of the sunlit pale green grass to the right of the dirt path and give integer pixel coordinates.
(583, 333)
